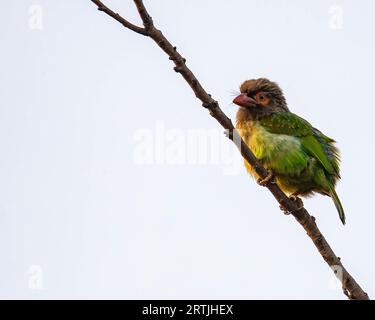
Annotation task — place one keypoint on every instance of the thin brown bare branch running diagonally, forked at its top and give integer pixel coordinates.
(350, 287)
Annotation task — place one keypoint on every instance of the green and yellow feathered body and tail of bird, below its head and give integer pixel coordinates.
(303, 159)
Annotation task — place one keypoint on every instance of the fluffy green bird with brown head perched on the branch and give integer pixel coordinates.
(300, 158)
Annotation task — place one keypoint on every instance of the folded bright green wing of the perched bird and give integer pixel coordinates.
(288, 123)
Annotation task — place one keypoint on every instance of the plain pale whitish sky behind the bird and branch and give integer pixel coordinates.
(80, 218)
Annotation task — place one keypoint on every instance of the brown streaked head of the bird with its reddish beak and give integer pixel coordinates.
(260, 97)
